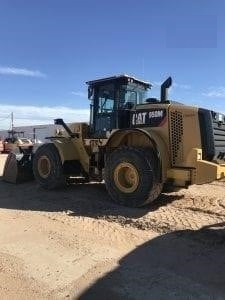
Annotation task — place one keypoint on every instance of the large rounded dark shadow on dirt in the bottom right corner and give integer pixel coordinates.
(180, 265)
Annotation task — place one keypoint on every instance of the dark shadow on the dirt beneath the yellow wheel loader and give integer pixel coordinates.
(90, 200)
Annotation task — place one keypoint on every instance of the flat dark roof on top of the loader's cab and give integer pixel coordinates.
(124, 79)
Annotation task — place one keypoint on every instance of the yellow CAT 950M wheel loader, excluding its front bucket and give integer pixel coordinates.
(137, 145)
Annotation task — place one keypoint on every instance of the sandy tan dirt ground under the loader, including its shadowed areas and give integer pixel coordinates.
(76, 244)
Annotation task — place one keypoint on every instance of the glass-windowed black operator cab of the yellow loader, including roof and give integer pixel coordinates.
(112, 99)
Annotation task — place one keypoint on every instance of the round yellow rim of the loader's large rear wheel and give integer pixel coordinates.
(126, 177)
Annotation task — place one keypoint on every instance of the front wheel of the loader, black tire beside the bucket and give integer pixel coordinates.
(47, 167)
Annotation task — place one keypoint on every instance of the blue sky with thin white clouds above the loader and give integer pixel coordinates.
(49, 49)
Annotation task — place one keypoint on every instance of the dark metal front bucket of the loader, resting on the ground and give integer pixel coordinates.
(18, 168)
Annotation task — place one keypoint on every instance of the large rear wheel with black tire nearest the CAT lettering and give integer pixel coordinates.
(131, 176)
